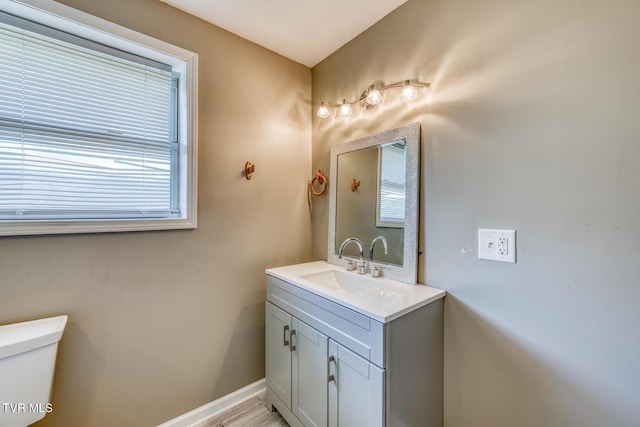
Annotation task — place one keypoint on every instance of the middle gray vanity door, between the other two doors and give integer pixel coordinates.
(309, 367)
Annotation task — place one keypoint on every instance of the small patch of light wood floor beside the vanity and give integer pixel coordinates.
(252, 413)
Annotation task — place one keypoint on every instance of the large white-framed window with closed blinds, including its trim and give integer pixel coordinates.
(97, 126)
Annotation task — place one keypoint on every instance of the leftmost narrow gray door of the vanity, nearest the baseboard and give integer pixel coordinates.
(278, 352)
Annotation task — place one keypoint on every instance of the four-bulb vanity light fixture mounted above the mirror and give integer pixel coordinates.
(372, 96)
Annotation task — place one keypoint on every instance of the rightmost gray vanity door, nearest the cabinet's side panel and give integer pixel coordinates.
(356, 393)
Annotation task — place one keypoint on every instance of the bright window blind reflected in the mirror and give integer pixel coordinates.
(391, 198)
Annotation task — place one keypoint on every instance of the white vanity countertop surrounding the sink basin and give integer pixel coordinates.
(388, 300)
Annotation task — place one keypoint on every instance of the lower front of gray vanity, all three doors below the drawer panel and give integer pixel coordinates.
(317, 380)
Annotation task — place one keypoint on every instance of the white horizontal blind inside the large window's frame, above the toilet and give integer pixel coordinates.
(86, 131)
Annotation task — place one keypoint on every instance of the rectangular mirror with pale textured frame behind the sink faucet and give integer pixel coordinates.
(375, 193)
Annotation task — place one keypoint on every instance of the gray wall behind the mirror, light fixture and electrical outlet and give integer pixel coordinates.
(533, 125)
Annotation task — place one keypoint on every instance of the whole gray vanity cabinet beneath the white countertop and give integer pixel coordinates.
(328, 365)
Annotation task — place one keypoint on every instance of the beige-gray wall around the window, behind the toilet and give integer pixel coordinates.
(163, 322)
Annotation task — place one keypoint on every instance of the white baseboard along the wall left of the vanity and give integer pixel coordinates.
(218, 406)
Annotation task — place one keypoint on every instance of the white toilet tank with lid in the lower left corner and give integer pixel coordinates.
(27, 362)
